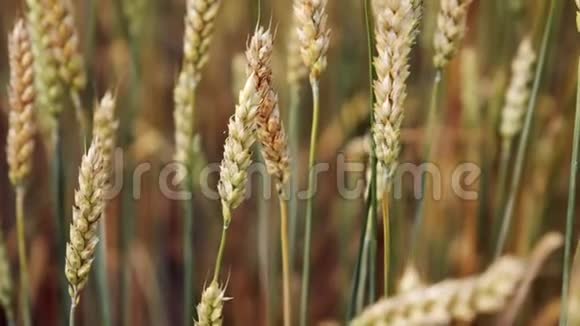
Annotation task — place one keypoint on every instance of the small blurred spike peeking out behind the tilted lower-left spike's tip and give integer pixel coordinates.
(105, 126)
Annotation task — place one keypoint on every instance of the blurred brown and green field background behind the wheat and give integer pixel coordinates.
(135, 46)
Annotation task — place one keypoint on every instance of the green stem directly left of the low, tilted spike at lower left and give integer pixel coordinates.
(58, 184)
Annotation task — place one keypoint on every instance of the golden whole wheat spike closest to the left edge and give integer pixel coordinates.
(22, 124)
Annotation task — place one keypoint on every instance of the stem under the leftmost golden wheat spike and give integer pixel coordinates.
(24, 293)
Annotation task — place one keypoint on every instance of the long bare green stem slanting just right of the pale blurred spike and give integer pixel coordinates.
(525, 136)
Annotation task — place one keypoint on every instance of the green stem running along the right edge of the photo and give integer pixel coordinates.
(571, 212)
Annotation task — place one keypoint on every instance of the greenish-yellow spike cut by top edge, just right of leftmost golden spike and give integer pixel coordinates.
(46, 67)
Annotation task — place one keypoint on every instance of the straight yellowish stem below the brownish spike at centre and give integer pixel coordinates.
(285, 261)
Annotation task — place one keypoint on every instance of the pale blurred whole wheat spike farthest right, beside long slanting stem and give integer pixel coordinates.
(518, 91)
